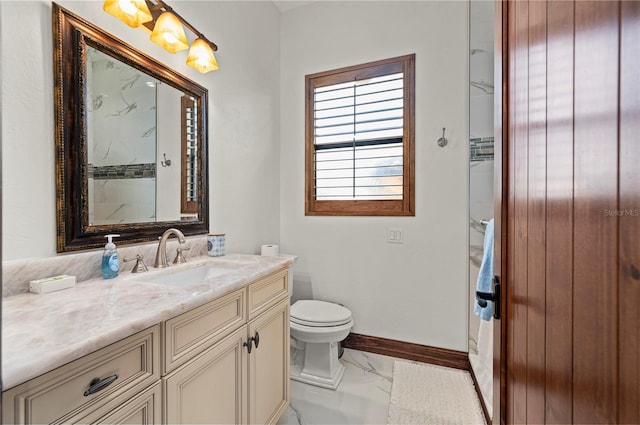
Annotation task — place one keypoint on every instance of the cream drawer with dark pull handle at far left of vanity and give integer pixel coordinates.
(60, 393)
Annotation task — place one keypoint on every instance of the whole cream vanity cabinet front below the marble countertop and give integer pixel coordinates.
(226, 361)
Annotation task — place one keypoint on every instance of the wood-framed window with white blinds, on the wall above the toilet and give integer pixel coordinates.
(360, 139)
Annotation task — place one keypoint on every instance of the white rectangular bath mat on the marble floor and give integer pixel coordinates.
(432, 395)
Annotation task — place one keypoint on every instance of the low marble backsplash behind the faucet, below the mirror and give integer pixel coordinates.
(17, 274)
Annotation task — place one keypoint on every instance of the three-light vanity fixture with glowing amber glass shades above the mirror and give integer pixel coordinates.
(167, 30)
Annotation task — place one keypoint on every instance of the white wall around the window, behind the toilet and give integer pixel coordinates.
(416, 291)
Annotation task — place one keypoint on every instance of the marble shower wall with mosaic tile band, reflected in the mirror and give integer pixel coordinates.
(121, 135)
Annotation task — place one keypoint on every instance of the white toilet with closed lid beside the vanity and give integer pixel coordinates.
(317, 327)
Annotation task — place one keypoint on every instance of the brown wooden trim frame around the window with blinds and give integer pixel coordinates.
(403, 207)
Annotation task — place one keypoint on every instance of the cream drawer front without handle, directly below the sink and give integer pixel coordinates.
(191, 333)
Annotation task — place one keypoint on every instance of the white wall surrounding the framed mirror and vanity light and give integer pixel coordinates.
(243, 118)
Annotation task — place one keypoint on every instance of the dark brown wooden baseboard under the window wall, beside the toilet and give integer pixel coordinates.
(408, 350)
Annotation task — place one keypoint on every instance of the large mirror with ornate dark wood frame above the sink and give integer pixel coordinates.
(131, 141)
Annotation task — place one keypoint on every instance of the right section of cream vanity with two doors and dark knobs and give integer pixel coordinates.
(231, 379)
